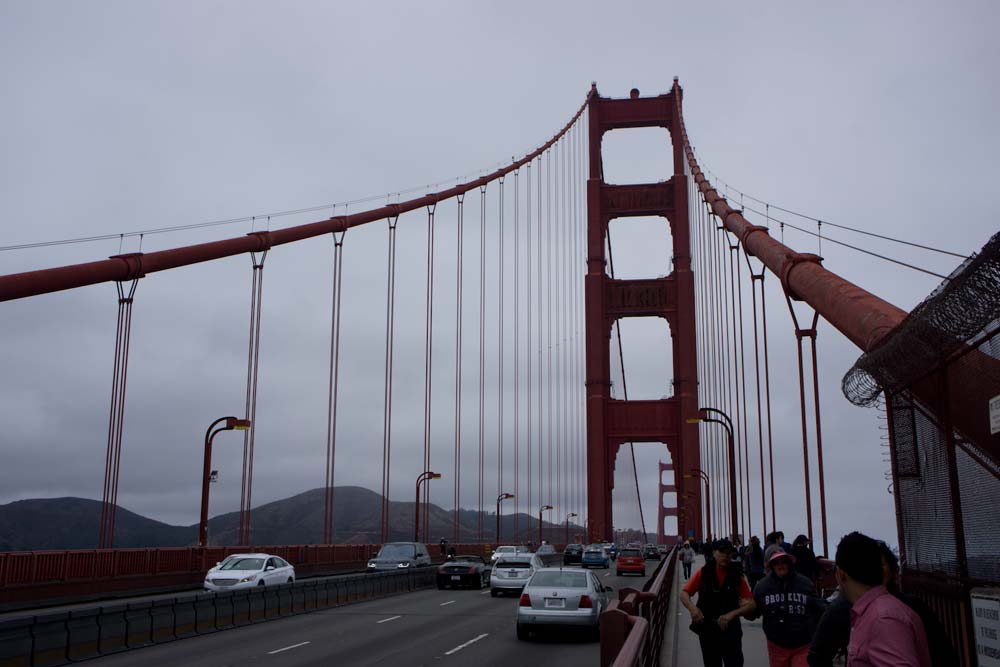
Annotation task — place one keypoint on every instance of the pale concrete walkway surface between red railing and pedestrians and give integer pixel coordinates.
(680, 645)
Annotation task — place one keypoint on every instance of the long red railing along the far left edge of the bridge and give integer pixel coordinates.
(50, 577)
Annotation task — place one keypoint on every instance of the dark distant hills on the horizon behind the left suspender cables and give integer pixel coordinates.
(72, 523)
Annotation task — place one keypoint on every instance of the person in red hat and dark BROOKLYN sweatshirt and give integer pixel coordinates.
(787, 600)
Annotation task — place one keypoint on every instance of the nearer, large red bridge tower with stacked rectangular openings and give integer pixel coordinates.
(611, 422)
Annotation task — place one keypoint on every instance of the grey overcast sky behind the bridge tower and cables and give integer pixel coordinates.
(122, 116)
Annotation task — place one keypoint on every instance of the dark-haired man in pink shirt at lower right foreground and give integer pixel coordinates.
(884, 631)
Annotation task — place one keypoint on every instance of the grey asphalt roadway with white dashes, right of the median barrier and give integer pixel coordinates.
(421, 628)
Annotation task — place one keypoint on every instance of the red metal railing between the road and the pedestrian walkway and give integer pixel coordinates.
(633, 625)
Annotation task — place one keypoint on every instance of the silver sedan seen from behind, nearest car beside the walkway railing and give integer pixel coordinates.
(562, 597)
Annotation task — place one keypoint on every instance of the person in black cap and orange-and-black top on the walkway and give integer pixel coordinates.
(723, 597)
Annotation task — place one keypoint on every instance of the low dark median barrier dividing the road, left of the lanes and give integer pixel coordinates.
(57, 638)
